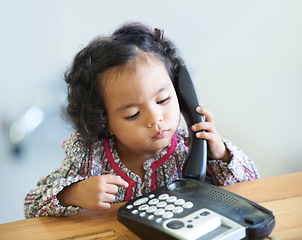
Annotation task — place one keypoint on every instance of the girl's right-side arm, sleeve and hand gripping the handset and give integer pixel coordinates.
(227, 164)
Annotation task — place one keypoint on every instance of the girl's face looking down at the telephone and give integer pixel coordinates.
(142, 107)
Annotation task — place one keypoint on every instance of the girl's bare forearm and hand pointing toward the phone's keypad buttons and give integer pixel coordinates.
(94, 193)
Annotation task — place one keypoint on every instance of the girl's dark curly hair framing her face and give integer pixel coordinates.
(85, 107)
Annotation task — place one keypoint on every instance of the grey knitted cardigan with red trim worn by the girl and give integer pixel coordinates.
(83, 161)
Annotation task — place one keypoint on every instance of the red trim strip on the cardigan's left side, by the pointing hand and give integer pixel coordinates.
(119, 171)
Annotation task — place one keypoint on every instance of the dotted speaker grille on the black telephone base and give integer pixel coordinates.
(219, 200)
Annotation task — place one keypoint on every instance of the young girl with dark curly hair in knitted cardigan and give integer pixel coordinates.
(127, 142)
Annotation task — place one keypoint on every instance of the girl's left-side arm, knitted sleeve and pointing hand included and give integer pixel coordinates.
(72, 187)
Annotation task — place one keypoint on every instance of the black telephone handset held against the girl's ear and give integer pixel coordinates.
(196, 163)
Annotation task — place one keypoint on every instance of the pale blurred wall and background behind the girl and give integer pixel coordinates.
(245, 58)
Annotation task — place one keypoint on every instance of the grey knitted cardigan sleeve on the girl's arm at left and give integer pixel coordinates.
(42, 200)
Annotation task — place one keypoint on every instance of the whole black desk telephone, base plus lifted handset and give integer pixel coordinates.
(188, 208)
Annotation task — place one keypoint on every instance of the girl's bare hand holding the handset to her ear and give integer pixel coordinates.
(216, 148)
